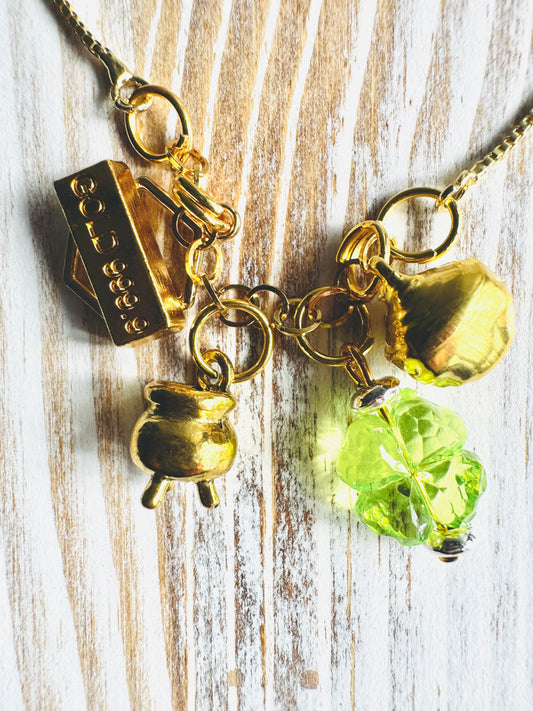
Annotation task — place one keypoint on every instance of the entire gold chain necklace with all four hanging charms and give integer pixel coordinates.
(444, 326)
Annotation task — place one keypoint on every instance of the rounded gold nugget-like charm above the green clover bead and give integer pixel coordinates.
(447, 325)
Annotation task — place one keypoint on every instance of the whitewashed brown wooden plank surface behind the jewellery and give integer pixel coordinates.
(312, 113)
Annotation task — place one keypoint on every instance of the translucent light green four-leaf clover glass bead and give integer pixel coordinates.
(414, 480)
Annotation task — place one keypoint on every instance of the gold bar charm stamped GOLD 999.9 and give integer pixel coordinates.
(118, 250)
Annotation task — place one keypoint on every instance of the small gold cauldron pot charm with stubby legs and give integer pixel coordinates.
(184, 434)
